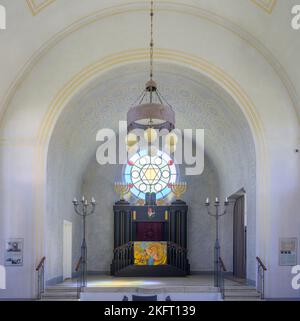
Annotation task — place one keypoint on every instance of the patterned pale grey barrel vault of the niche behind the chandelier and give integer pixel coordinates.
(198, 103)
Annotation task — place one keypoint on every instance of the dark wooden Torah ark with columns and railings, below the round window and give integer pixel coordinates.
(150, 223)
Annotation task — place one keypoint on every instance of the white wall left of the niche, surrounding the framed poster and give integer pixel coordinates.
(16, 219)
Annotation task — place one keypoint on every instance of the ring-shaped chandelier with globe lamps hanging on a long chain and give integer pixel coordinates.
(152, 111)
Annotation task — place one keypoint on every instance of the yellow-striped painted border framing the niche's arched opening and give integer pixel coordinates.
(81, 79)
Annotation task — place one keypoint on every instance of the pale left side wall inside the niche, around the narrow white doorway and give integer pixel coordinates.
(63, 184)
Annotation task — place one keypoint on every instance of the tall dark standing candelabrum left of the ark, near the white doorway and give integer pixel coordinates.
(84, 209)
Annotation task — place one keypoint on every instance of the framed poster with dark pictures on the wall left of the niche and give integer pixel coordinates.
(14, 252)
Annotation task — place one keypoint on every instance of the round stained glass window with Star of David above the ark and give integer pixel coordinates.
(150, 174)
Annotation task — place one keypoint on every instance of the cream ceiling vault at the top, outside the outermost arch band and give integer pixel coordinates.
(33, 30)
